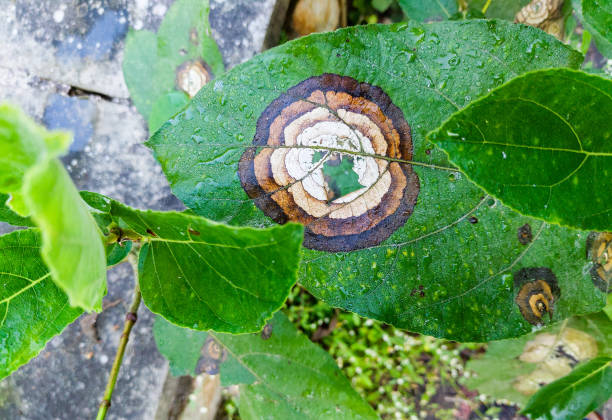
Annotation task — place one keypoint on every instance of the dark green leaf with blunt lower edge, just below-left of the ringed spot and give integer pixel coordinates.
(204, 275)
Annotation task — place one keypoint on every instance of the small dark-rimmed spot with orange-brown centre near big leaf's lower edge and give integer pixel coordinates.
(537, 292)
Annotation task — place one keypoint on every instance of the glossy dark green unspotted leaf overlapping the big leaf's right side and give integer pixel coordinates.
(536, 144)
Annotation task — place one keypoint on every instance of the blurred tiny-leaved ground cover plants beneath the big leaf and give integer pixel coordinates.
(394, 370)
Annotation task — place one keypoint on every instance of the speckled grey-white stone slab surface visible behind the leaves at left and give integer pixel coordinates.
(61, 62)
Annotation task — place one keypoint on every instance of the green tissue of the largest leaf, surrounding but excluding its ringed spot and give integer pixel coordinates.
(461, 247)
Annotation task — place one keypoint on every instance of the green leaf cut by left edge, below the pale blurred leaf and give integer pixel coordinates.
(32, 308)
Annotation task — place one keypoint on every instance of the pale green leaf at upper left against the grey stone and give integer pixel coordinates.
(152, 62)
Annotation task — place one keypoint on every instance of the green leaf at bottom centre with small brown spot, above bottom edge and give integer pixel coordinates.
(281, 375)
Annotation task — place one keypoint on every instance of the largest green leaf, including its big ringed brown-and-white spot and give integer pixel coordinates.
(228, 157)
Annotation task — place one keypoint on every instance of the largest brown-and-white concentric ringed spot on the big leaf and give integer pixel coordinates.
(297, 168)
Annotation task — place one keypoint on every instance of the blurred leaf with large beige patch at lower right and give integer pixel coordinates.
(515, 369)
